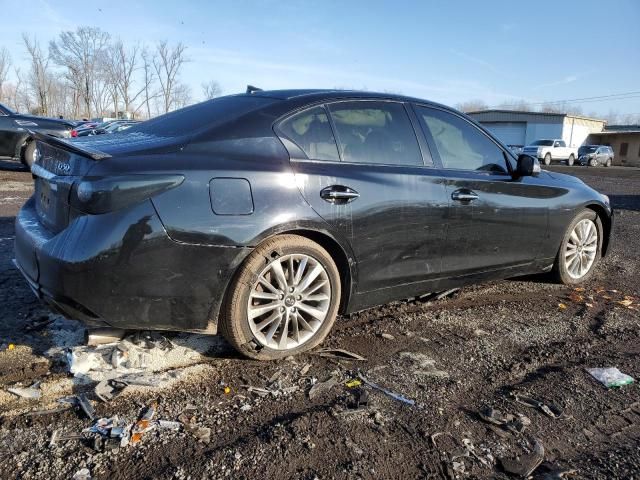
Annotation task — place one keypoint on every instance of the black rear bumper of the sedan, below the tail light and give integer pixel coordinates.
(121, 269)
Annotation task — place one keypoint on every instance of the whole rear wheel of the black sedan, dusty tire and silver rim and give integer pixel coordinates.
(283, 300)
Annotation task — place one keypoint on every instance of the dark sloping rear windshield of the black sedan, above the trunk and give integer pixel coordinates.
(202, 115)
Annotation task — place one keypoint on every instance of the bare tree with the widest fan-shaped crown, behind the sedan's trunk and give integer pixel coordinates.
(83, 54)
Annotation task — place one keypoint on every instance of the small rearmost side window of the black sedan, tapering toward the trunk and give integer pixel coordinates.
(310, 130)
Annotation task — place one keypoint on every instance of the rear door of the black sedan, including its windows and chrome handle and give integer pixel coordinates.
(361, 167)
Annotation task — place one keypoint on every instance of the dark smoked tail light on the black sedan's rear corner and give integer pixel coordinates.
(96, 195)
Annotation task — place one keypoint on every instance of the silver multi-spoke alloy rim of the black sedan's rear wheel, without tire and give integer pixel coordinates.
(289, 301)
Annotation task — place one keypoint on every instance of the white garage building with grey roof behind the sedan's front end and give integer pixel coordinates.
(515, 128)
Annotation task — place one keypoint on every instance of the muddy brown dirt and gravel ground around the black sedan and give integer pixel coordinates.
(455, 357)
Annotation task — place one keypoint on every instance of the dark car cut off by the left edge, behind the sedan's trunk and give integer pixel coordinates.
(16, 140)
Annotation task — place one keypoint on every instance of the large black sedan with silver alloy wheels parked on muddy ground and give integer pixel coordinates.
(264, 215)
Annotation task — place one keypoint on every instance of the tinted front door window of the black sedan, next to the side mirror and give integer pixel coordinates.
(461, 145)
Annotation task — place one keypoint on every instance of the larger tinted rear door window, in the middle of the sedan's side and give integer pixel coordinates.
(375, 132)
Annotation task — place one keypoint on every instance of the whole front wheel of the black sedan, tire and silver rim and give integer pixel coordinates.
(580, 249)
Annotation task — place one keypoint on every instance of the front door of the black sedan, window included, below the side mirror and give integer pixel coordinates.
(495, 221)
